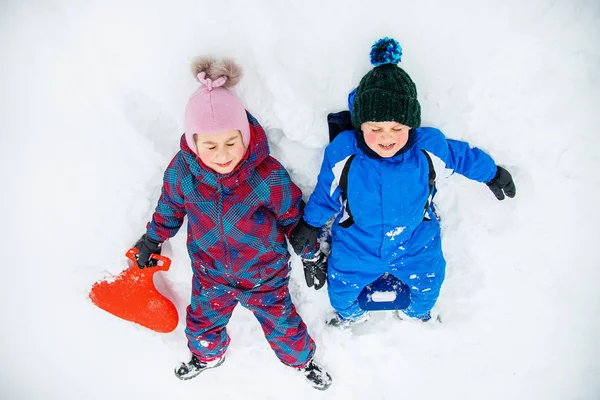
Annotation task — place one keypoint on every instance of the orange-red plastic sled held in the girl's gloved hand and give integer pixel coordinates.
(133, 296)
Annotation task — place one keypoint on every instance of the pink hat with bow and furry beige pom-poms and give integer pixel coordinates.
(213, 108)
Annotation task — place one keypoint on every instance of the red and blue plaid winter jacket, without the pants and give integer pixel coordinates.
(236, 222)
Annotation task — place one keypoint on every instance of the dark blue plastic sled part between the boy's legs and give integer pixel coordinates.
(386, 293)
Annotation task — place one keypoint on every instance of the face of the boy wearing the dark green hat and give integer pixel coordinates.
(385, 138)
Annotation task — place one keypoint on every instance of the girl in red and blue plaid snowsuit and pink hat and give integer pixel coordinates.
(240, 204)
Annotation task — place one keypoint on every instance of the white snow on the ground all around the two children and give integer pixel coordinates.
(93, 94)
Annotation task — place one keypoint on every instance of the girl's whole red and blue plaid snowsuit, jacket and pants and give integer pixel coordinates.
(236, 239)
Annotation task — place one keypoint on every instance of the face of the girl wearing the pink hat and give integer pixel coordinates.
(221, 152)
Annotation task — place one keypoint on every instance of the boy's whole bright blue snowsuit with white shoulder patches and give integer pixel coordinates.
(386, 220)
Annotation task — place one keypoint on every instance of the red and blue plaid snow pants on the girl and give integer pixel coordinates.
(214, 299)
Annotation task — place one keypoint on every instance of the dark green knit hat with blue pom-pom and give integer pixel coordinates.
(386, 93)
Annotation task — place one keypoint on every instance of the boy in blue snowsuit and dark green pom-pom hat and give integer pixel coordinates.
(379, 179)
